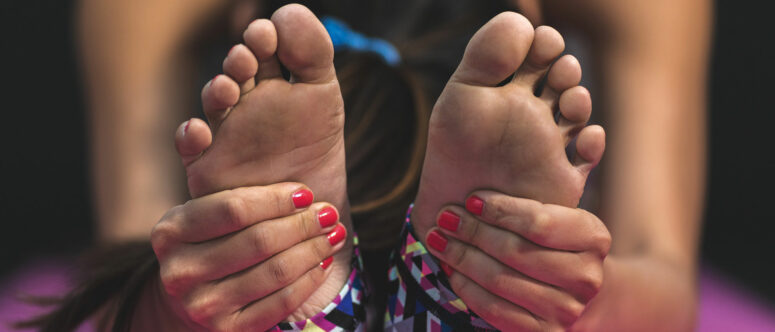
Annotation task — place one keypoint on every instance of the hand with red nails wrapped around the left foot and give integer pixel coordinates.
(245, 259)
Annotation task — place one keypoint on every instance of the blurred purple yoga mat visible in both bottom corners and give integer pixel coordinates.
(724, 306)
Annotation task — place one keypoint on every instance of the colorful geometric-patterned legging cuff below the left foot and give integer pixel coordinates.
(345, 313)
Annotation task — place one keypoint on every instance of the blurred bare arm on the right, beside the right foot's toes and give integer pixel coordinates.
(653, 57)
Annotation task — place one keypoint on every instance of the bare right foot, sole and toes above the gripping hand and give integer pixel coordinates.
(505, 138)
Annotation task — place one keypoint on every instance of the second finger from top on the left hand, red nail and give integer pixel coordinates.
(235, 252)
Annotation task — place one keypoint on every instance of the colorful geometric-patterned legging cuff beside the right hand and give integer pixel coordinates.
(421, 298)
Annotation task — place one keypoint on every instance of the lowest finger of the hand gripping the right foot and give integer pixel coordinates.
(498, 312)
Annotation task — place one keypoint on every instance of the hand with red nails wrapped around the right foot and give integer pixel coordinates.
(520, 264)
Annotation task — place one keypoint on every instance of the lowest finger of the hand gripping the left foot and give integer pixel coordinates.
(267, 312)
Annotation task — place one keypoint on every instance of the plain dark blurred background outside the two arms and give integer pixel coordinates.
(45, 205)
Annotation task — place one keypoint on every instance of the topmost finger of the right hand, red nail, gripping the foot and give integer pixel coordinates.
(548, 225)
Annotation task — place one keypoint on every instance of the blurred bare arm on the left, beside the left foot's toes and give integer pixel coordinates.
(135, 75)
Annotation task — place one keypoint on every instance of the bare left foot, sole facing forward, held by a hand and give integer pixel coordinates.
(264, 129)
